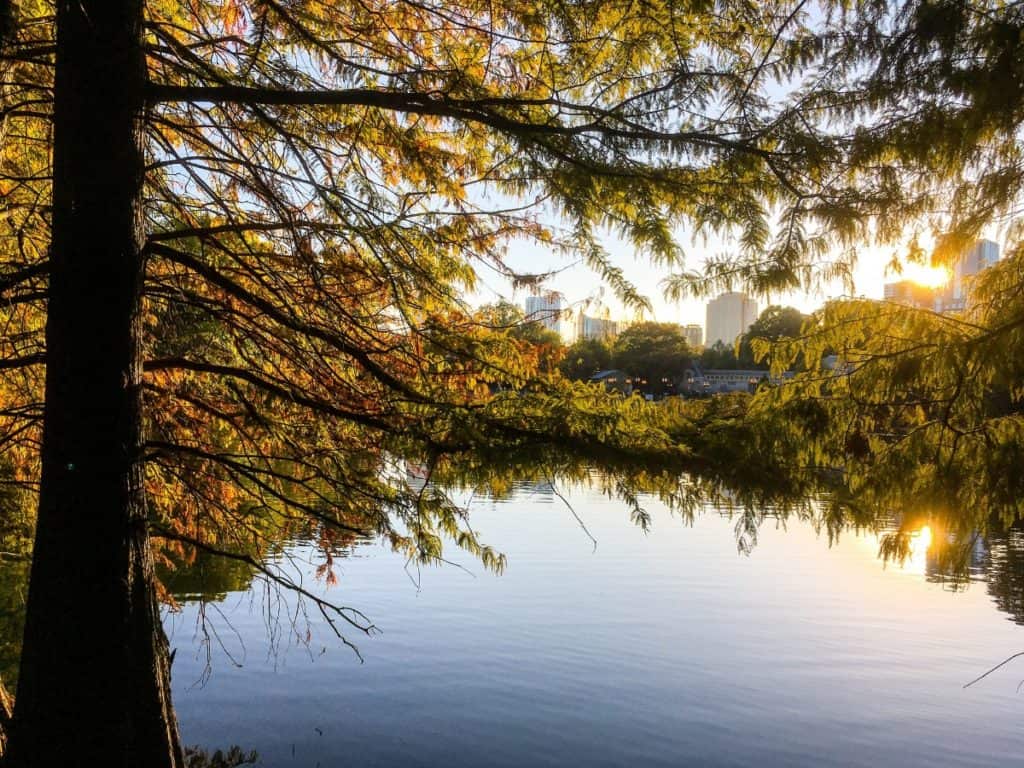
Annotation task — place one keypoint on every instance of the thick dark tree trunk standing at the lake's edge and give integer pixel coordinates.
(95, 685)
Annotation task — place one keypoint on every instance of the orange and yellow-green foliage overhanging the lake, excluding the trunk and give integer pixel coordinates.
(326, 181)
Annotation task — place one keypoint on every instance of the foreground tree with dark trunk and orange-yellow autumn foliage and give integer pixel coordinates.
(237, 234)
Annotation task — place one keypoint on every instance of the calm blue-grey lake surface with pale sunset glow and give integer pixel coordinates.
(660, 650)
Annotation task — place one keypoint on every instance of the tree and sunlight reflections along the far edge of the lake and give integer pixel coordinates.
(948, 556)
